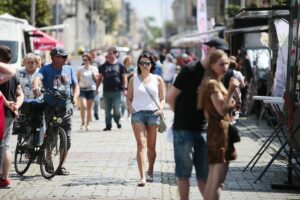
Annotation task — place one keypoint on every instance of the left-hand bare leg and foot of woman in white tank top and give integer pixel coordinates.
(141, 140)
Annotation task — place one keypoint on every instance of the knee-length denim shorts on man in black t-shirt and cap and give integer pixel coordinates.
(190, 149)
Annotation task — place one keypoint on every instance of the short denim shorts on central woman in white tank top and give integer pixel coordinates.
(146, 117)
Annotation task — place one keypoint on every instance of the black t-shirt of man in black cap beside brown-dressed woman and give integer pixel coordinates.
(187, 116)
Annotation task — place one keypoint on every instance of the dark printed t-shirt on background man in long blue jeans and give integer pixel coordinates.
(112, 76)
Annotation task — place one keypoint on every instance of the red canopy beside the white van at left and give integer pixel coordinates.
(43, 41)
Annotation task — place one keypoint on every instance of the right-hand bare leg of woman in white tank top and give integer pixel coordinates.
(151, 144)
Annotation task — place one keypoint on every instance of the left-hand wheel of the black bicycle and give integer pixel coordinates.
(24, 155)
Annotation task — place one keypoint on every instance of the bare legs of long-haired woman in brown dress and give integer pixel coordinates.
(215, 181)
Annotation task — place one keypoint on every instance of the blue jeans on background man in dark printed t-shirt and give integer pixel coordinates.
(112, 100)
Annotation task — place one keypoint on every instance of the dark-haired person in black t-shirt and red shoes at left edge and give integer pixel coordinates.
(13, 97)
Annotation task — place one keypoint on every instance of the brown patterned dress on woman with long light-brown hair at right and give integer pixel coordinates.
(219, 150)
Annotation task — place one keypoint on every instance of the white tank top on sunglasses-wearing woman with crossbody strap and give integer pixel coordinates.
(141, 99)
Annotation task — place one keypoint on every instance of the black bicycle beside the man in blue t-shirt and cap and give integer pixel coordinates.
(51, 153)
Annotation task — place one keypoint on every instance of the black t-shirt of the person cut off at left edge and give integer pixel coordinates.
(9, 89)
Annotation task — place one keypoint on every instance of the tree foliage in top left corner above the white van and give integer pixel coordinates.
(22, 9)
